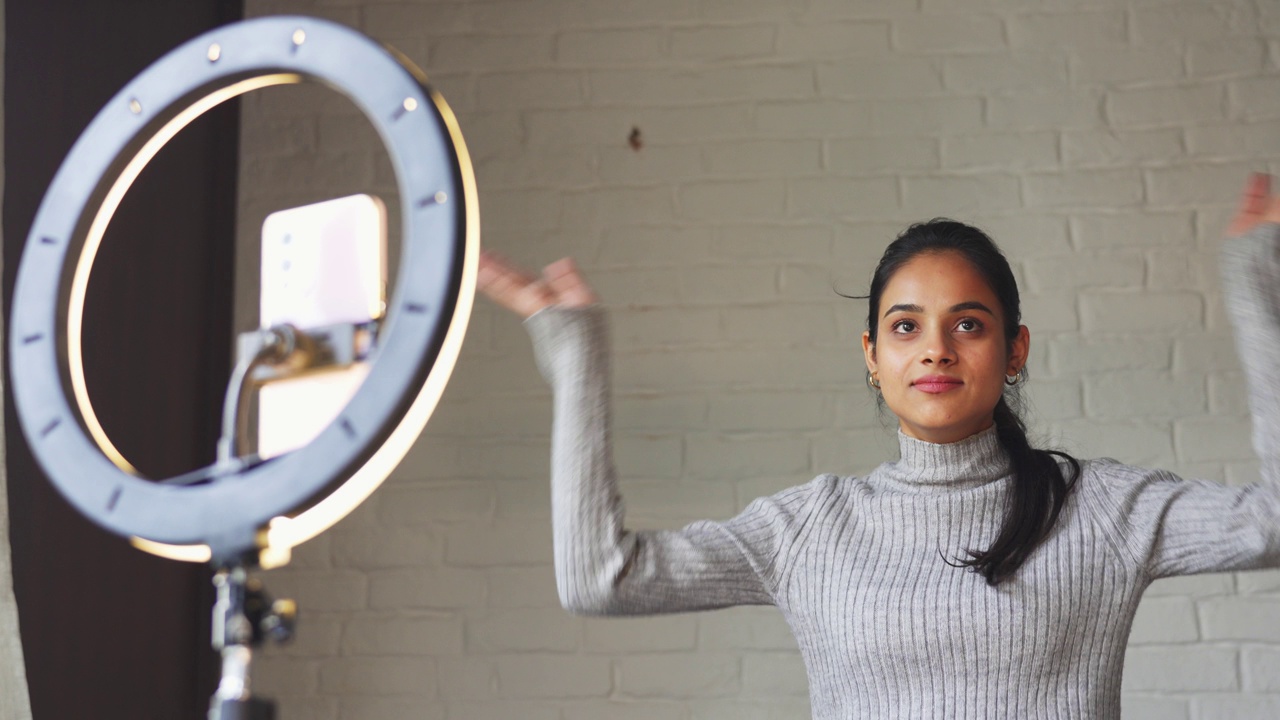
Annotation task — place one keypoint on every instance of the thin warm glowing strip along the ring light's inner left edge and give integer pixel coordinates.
(80, 280)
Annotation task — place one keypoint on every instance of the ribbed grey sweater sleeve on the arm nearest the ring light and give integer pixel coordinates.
(601, 567)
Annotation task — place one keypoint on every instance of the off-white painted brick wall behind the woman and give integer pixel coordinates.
(785, 143)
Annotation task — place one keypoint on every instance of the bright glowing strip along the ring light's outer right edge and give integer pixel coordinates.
(290, 532)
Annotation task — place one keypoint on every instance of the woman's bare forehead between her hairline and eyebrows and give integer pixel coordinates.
(936, 281)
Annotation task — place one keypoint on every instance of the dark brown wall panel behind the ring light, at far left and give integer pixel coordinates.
(111, 632)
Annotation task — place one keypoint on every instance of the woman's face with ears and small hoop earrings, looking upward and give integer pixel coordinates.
(941, 356)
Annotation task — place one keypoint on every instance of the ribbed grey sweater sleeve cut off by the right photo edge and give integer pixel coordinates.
(1176, 527)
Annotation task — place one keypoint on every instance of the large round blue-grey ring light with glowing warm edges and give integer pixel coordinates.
(266, 511)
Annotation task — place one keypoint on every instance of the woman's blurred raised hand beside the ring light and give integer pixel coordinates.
(527, 294)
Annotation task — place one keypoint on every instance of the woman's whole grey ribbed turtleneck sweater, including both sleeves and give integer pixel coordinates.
(886, 627)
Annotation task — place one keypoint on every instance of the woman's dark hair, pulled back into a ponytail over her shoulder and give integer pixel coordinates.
(1040, 487)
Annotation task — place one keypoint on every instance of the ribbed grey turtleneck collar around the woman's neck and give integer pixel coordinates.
(926, 467)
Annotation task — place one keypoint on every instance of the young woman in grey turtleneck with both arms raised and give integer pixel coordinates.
(976, 577)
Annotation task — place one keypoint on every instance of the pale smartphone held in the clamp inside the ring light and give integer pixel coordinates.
(323, 265)
